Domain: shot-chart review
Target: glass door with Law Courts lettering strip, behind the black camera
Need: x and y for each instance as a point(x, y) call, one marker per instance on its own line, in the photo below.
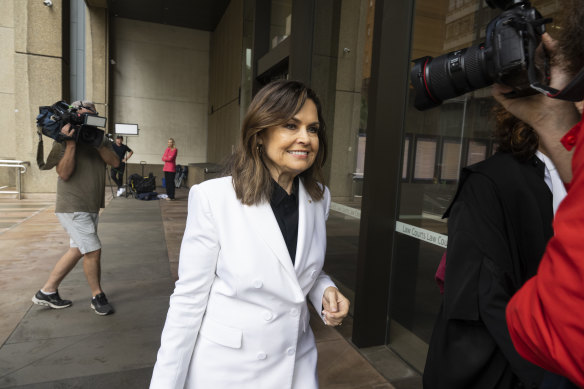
point(437, 144)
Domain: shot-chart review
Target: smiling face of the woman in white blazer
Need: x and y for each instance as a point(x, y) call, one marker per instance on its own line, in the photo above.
point(291, 148)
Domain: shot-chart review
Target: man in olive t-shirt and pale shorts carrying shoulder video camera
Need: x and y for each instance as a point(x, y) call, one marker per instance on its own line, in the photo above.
point(80, 195)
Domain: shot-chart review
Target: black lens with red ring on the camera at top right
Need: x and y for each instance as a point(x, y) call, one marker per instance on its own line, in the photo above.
point(450, 75)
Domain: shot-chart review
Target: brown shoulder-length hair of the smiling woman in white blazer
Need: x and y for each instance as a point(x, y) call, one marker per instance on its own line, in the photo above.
point(274, 105)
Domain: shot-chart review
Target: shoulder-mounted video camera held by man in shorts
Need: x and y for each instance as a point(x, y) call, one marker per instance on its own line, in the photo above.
point(51, 120)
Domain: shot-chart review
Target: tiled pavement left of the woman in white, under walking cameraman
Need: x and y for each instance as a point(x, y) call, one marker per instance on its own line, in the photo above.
point(74, 348)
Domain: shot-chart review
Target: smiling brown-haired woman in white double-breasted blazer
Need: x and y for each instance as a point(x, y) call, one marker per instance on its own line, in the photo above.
point(252, 252)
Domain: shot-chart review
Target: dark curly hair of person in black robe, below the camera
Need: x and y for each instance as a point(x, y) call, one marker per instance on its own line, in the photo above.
point(514, 136)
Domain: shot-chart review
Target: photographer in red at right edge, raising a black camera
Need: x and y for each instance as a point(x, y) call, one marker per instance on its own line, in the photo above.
point(545, 316)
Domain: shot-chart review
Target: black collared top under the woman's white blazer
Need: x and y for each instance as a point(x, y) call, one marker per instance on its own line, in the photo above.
point(285, 207)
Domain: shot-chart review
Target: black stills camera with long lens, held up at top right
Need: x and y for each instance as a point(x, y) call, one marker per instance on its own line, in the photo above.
point(507, 56)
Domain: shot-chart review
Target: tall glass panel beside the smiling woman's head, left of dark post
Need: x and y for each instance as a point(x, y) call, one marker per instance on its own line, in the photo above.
point(347, 139)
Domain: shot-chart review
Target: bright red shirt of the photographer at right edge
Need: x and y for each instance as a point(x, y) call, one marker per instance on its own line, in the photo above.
point(546, 316)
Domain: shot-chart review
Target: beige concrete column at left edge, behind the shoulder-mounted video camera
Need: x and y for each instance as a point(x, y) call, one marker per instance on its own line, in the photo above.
point(36, 60)
